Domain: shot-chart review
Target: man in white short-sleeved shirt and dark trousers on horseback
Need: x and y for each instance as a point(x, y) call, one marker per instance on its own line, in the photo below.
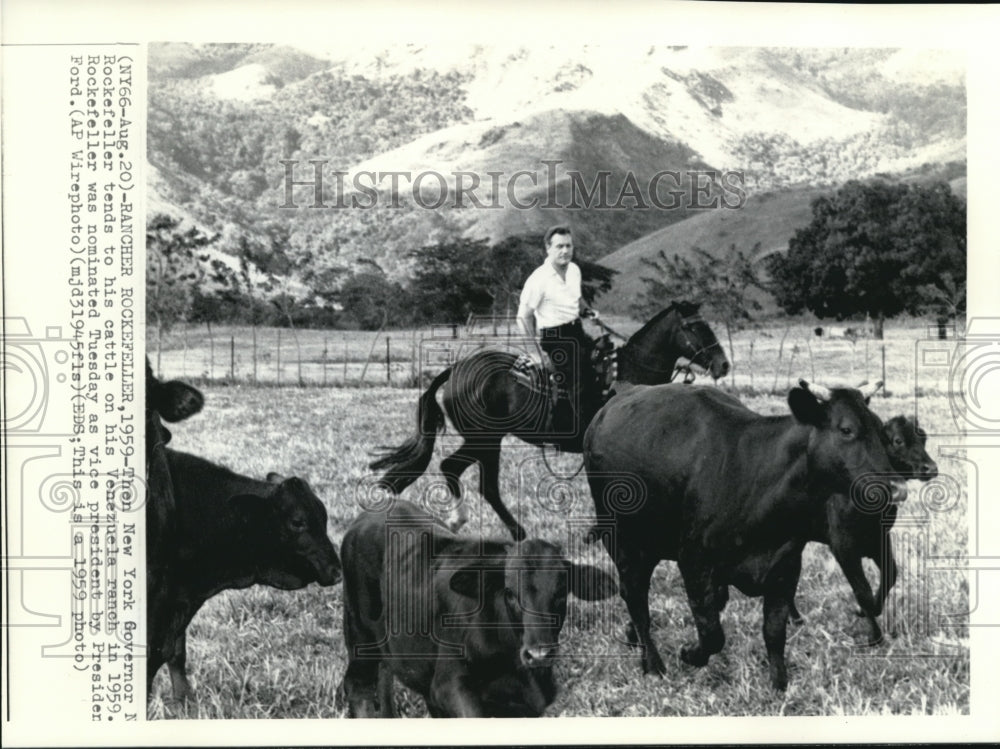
point(551, 306)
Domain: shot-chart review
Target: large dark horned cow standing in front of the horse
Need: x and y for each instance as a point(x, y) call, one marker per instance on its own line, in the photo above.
point(725, 492)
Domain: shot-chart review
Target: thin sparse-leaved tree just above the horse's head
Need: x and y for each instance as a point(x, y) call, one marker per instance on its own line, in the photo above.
point(725, 286)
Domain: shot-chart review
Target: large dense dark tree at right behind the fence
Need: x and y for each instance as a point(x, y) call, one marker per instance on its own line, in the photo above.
point(877, 249)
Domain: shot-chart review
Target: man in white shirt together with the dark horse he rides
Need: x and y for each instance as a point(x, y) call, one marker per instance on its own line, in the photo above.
point(485, 397)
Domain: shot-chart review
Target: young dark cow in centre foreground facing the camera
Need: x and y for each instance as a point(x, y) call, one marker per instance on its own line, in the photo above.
point(470, 624)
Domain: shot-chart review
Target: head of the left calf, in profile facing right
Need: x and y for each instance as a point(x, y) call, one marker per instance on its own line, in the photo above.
point(287, 529)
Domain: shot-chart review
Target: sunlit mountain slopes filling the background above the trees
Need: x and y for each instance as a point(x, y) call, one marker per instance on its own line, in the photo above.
point(222, 118)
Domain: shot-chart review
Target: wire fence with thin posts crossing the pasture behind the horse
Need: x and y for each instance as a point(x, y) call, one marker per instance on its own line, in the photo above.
point(911, 357)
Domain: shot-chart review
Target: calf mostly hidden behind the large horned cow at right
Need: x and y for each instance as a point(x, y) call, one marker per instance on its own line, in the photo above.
point(853, 530)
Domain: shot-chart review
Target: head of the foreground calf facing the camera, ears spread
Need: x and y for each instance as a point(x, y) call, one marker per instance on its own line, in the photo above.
point(528, 593)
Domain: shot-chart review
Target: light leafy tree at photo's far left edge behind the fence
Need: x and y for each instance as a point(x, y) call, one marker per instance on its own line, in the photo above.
point(174, 271)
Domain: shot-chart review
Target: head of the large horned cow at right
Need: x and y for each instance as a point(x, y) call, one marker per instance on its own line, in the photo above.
point(847, 444)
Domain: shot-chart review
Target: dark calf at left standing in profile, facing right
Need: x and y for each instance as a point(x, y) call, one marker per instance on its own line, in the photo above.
point(229, 531)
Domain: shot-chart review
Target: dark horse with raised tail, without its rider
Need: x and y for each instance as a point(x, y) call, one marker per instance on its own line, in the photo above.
point(485, 401)
